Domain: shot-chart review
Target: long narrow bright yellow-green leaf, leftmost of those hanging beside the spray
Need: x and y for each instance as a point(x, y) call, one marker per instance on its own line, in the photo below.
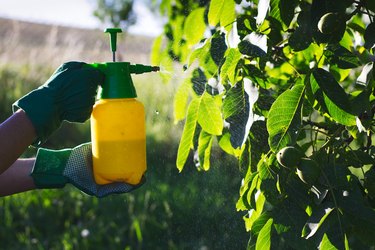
point(187, 136)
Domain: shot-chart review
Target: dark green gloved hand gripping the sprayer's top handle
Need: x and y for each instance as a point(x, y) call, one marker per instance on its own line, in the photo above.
point(68, 94)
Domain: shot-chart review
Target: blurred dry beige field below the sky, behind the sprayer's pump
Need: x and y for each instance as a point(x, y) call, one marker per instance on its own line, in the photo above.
point(30, 43)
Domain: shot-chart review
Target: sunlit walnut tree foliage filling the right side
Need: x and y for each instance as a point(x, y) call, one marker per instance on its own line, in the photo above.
point(267, 74)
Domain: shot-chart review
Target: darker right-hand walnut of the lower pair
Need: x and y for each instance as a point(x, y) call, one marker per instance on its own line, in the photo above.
point(308, 171)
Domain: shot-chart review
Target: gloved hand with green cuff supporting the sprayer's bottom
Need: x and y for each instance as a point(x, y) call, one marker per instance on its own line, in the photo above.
point(55, 168)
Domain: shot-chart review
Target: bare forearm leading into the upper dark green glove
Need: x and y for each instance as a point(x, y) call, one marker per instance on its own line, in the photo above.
point(16, 134)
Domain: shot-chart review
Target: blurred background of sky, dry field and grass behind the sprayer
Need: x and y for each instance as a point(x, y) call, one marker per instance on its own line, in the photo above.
point(188, 210)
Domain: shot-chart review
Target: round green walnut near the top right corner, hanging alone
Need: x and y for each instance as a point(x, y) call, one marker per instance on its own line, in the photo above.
point(332, 23)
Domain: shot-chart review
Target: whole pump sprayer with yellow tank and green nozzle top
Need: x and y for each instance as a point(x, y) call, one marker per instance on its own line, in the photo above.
point(118, 131)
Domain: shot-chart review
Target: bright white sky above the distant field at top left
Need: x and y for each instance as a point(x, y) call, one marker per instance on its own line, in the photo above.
point(76, 13)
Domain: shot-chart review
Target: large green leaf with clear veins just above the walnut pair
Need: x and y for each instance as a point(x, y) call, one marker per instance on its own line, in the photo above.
point(284, 118)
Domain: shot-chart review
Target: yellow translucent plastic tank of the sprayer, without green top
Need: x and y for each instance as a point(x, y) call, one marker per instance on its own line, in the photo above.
point(118, 137)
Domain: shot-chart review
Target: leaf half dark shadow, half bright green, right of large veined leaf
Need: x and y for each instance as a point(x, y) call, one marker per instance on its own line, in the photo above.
point(334, 97)
